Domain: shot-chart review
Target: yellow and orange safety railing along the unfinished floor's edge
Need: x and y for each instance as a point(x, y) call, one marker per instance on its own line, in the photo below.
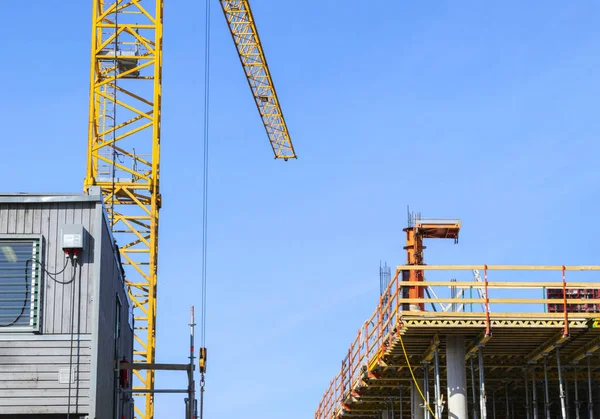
point(377, 332)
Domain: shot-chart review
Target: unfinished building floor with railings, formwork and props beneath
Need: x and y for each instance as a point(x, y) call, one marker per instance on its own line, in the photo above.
point(523, 357)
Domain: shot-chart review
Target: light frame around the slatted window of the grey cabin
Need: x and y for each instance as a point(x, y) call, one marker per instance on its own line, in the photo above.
point(36, 283)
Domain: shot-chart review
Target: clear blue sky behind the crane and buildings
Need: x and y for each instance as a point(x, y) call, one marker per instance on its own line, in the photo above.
point(487, 112)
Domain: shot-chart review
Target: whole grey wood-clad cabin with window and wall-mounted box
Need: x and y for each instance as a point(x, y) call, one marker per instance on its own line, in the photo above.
point(65, 317)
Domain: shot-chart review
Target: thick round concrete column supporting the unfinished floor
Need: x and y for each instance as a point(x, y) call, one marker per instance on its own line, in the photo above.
point(457, 377)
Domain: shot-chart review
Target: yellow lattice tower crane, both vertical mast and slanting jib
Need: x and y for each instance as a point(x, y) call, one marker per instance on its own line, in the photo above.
point(124, 136)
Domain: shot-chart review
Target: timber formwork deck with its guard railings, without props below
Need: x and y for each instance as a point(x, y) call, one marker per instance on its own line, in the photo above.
point(509, 340)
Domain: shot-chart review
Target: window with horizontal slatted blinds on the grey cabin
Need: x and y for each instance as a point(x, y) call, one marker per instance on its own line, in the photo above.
point(19, 284)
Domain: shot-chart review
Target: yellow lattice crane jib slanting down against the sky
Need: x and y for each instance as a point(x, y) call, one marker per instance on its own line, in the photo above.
point(245, 36)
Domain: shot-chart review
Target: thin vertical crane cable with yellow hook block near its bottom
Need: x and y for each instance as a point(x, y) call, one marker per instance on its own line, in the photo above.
point(203, 351)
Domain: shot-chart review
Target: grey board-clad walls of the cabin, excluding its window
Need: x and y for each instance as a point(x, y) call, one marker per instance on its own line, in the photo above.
point(29, 362)
